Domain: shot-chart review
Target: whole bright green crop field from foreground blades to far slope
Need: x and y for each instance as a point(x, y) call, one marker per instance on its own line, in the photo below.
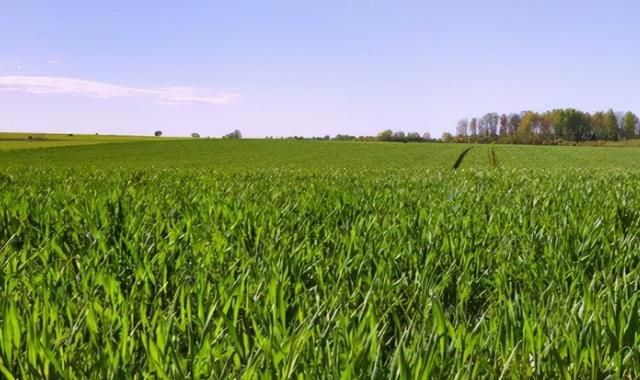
point(269, 259)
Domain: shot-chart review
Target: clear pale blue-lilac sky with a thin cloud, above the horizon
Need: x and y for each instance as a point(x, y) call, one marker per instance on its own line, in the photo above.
point(308, 67)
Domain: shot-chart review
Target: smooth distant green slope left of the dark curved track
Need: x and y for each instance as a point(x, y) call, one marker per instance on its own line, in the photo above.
point(242, 155)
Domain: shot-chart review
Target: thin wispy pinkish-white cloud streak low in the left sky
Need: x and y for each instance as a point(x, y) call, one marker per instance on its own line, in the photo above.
point(80, 87)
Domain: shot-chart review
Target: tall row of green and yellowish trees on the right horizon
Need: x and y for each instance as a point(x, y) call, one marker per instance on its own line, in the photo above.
point(534, 128)
